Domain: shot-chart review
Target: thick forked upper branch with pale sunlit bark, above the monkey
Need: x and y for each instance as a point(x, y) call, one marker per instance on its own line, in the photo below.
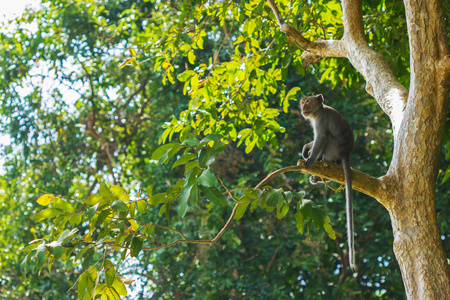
point(381, 82)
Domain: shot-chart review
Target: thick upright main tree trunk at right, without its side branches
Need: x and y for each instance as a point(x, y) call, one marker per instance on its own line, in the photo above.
point(414, 166)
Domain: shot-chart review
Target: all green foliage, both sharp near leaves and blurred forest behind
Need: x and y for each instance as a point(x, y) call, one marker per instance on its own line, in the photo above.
point(135, 127)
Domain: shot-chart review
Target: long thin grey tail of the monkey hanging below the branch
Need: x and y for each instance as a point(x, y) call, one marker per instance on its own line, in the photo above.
point(349, 199)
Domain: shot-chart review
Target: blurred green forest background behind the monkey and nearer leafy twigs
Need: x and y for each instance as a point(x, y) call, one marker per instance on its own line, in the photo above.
point(81, 108)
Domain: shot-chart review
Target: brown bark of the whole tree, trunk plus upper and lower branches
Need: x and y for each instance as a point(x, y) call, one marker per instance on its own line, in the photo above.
point(418, 116)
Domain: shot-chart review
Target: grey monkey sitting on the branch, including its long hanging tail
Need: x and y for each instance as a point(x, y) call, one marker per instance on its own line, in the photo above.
point(333, 142)
